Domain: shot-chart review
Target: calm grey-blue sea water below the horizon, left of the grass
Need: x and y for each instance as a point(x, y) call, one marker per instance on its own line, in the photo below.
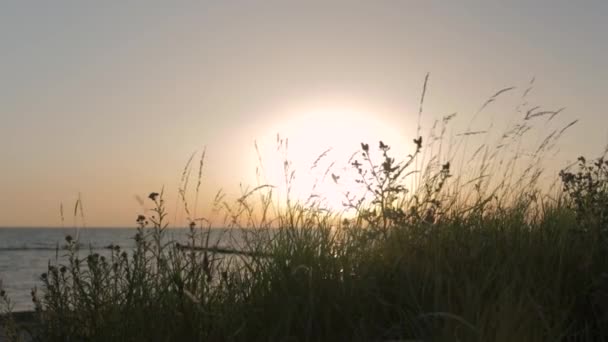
point(25, 253)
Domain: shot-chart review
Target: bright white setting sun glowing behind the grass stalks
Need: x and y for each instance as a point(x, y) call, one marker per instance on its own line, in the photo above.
point(318, 145)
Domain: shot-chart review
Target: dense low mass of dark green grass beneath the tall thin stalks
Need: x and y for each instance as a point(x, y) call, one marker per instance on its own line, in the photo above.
point(493, 277)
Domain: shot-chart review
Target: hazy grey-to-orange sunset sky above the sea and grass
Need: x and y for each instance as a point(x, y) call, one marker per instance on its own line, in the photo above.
point(109, 99)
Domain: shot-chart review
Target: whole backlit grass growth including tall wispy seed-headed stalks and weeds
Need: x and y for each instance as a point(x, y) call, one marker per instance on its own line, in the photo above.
point(482, 255)
